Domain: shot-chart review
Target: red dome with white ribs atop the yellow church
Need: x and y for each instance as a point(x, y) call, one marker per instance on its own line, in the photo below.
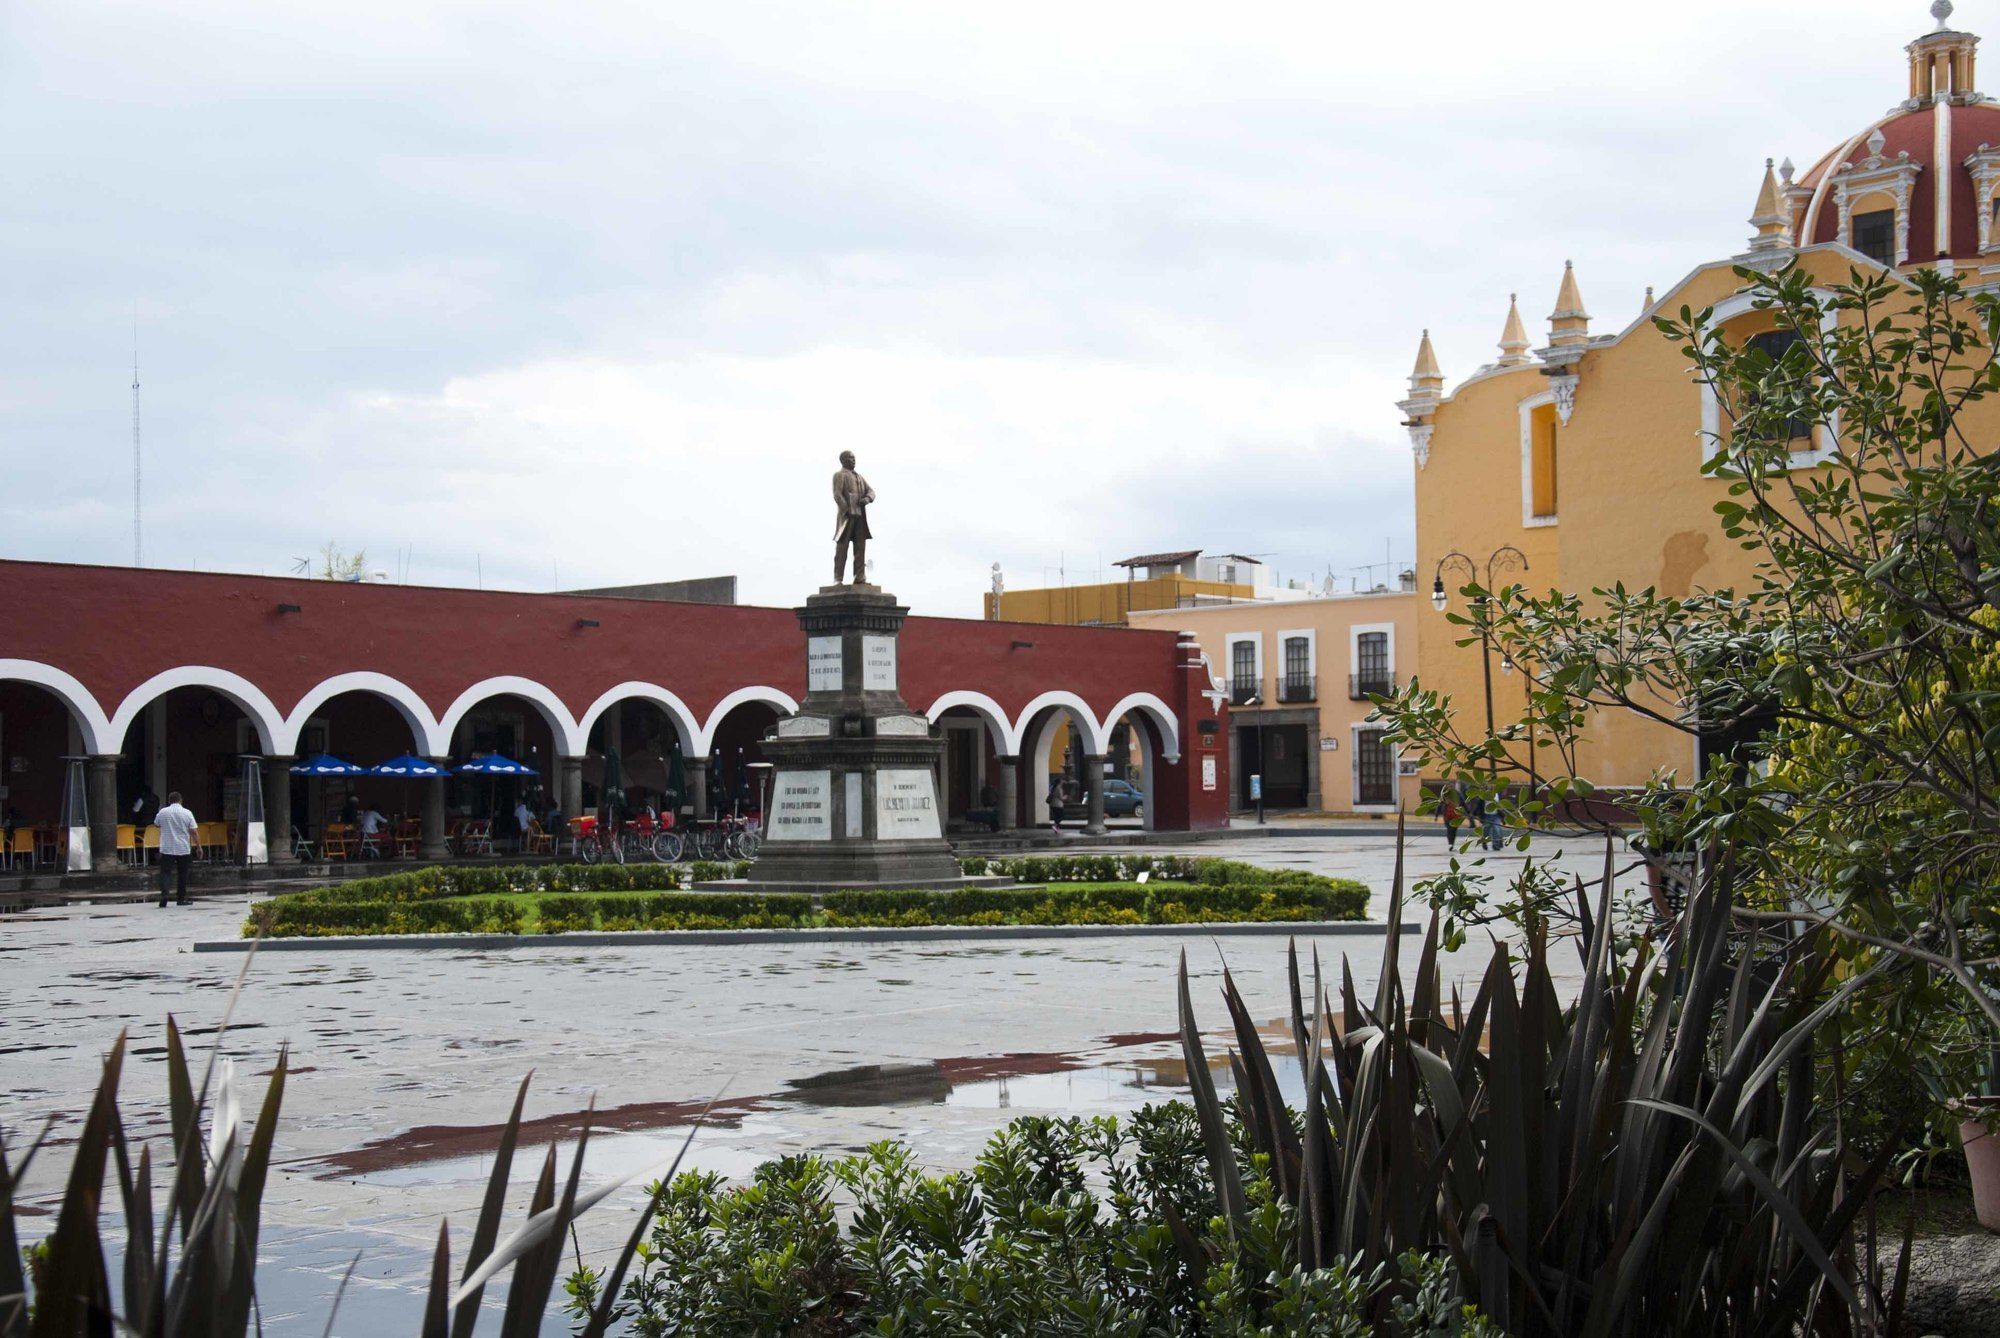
point(1917, 133)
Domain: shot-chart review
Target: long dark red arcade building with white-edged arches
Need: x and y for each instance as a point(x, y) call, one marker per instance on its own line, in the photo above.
point(167, 681)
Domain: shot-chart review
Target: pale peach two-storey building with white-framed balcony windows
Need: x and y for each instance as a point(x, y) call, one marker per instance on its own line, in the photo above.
point(1299, 677)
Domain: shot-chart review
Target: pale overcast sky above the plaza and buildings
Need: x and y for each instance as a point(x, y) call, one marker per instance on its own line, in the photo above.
point(595, 293)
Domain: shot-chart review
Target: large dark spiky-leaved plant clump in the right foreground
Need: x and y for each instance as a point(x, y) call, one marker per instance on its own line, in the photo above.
point(1643, 1161)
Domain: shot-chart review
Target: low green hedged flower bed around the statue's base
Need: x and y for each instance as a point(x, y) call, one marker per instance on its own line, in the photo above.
point(563, 899)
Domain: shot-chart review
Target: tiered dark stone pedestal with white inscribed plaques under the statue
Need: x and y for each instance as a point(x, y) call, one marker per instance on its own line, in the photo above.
point(855, 797)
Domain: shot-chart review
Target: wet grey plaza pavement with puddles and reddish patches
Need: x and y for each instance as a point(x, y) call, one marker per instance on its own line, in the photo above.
point(405, 1063)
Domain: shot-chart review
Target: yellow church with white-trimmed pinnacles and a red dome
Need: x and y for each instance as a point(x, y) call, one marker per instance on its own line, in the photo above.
point(1577, 465)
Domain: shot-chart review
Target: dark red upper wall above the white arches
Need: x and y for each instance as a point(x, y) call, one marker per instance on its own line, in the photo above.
point(119, 627)
